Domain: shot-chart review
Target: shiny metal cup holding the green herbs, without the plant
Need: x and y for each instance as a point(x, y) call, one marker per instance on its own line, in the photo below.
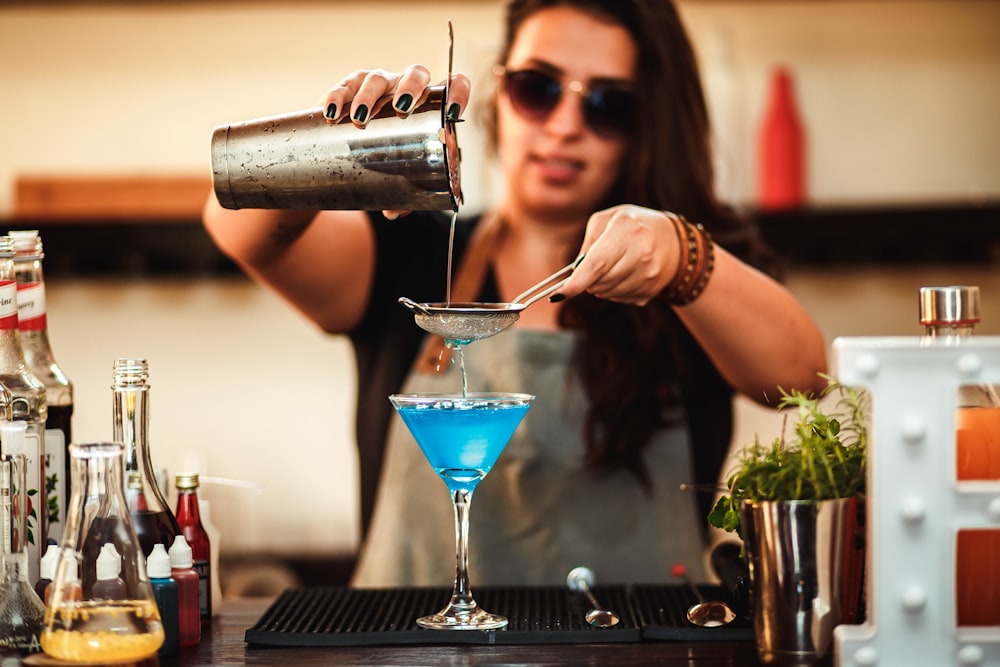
point(805, 560)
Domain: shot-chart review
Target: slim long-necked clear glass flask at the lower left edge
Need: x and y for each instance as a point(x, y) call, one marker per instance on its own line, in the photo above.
point(21, 610)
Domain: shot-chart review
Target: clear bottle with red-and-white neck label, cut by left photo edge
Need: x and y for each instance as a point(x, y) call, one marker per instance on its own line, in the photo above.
point(27, 404)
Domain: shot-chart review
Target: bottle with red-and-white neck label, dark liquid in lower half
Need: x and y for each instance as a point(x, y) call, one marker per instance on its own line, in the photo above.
point(33, 324)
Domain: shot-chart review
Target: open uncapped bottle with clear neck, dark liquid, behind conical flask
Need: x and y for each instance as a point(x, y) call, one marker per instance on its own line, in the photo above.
point(154, 522)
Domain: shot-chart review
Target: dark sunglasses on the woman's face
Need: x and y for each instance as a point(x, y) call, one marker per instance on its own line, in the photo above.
point(607, 110)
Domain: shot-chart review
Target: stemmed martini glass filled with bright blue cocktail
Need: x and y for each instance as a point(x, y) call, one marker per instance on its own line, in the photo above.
point(462, 436)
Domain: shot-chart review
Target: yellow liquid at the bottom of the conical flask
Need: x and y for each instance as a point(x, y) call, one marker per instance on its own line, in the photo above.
point(103, 630)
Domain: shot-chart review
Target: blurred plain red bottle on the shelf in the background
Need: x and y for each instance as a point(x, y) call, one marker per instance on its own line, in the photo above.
point(782, 159)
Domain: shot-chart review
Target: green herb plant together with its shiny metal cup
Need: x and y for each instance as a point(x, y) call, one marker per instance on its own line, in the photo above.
point(798, 505)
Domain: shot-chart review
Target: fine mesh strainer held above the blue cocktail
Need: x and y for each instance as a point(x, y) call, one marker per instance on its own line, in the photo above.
point(463, 323)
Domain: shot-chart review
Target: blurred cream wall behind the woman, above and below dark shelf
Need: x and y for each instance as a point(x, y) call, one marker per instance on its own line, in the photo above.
point(900, 101)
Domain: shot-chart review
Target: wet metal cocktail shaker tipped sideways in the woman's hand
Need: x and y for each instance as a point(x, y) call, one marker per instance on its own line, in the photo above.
point(301, 161)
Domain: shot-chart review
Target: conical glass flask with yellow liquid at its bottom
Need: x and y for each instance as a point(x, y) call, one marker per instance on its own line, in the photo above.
point(79, 624)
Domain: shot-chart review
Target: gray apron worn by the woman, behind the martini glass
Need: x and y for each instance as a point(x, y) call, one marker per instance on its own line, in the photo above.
point(539, 513)
